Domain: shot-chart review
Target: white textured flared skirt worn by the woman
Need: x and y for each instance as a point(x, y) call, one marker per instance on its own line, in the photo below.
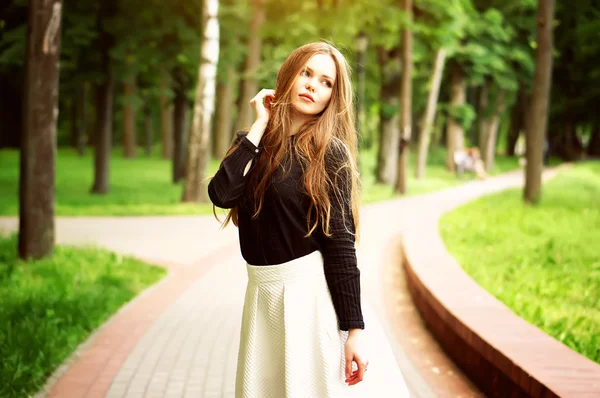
point(290, 343)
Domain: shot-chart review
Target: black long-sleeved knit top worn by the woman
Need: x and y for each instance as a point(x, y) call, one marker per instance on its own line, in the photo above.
point(277, 235)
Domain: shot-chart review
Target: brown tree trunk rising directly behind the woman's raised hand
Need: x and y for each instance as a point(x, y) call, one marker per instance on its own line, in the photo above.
point(249, 87)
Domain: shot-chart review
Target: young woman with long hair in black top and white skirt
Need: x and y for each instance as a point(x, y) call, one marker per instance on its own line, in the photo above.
point(291, 183)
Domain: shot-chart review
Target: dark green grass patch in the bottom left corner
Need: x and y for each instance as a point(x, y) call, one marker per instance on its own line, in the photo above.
point(51, 306)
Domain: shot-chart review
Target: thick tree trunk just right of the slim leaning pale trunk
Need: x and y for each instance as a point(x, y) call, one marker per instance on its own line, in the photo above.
point(454, 130)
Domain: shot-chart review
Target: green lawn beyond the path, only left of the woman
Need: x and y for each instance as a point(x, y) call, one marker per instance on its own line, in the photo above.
point(140, 186)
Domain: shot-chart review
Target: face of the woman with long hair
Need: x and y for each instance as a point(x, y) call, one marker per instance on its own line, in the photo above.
point(312, 89)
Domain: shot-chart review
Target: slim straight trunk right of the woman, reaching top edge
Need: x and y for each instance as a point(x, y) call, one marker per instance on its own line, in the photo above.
point(405, 100)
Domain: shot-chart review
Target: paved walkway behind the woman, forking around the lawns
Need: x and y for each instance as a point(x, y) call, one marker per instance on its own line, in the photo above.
point(180, 337)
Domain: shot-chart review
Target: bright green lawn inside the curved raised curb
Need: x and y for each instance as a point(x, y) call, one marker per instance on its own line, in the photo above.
point(542, 261)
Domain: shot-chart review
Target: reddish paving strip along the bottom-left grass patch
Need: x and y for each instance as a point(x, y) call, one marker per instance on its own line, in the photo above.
point(92, 371)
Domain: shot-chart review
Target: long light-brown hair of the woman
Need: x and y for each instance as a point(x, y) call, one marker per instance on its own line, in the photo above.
point(326, 145)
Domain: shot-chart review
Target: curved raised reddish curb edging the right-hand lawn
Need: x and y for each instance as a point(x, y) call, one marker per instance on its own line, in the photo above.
point(502, 353)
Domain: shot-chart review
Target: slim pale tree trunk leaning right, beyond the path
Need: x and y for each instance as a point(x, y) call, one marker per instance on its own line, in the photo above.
point(429, 117)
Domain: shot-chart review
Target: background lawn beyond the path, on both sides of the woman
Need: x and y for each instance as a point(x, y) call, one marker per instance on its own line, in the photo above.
point(143, 186)
